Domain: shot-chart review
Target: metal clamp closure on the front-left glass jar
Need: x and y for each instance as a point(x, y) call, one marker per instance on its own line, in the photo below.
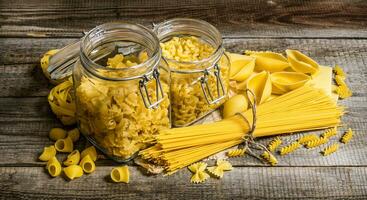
point(145, 93)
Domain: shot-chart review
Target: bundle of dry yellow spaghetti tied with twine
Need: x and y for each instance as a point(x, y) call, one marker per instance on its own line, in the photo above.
point(302, 109)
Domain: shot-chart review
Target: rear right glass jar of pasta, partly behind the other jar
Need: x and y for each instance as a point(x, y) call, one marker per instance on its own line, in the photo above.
point(200, 86)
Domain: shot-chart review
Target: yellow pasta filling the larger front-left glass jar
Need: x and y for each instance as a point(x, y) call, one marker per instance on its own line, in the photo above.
point(114, 114)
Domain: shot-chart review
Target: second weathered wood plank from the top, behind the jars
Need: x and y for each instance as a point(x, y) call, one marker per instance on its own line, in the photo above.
point(20, 74)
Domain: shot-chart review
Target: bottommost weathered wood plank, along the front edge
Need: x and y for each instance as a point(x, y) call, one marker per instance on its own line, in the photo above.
point(240, 183)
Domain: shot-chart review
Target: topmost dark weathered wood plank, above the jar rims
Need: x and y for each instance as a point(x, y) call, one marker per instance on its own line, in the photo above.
point(277, 18)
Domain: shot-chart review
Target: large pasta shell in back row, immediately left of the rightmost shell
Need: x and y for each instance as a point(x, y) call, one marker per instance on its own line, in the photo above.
point(269, 61)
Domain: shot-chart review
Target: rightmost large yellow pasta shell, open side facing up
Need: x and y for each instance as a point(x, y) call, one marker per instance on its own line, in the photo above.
point(301, 63)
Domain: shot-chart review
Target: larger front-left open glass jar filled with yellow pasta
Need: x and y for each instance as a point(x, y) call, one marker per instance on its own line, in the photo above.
point(120, 107)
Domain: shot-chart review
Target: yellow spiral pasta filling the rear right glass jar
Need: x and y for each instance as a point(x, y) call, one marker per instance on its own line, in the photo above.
point(188, 99)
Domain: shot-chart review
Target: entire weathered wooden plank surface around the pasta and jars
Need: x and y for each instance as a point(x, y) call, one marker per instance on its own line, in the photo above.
point(331, 32)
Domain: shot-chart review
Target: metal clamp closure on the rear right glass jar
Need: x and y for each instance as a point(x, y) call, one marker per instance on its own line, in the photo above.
point(206, 88)
